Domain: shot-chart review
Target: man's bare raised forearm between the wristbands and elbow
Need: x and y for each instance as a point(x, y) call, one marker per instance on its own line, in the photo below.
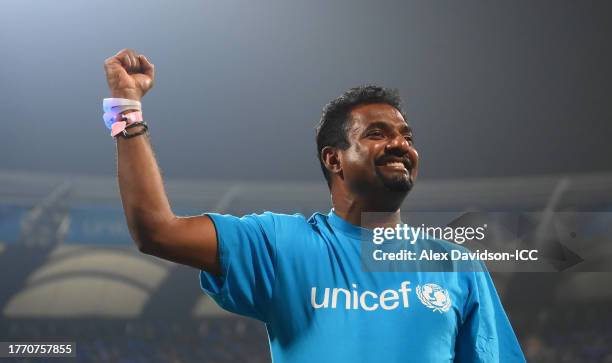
point(144, 199)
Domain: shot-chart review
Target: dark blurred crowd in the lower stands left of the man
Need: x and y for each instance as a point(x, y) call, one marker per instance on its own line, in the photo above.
point(214, 341)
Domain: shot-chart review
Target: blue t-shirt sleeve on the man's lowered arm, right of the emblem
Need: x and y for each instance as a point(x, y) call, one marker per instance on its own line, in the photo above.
point(486, 334)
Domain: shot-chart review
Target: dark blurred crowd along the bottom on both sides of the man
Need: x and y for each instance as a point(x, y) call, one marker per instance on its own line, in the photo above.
point(582, 333)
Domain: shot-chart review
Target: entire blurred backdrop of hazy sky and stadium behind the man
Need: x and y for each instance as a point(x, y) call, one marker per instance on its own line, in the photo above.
point(509, 102)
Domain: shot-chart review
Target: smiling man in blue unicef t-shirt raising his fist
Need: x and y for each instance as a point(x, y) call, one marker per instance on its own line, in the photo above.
point(303, 278)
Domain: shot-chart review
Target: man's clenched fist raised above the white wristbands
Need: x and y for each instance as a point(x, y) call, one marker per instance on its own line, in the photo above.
point(129, 75)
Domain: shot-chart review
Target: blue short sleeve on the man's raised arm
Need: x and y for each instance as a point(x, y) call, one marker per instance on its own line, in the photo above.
point(247, 253)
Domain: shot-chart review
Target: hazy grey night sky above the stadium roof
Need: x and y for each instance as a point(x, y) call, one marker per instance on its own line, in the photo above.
point(491, 88)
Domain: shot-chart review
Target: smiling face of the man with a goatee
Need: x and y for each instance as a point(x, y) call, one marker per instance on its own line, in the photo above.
point(381, 155)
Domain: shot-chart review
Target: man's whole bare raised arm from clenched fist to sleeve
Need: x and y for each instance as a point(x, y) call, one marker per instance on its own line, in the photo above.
point(152, 224)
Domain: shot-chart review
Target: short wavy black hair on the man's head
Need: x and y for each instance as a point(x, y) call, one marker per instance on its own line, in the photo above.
point(333, 126)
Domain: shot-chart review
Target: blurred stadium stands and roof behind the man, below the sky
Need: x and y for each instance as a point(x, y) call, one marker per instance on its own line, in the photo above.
point(71, 271)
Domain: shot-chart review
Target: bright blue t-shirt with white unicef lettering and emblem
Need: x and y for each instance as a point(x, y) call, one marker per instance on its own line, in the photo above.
point(304, 280)
